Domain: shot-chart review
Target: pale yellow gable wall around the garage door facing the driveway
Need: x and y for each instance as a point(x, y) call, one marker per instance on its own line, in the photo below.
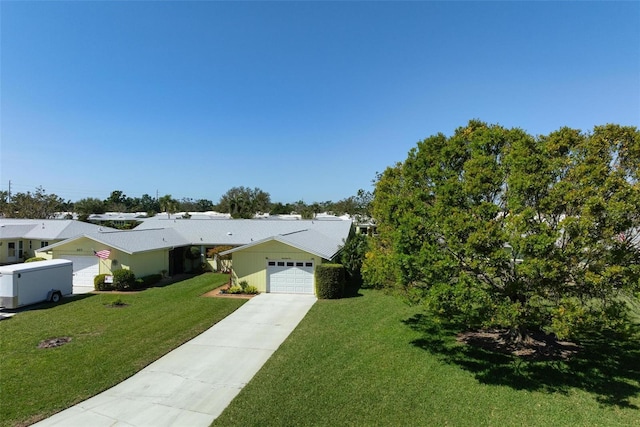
point(251, 264)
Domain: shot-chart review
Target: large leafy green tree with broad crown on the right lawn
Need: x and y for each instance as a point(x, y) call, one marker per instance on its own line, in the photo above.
point(504, 229)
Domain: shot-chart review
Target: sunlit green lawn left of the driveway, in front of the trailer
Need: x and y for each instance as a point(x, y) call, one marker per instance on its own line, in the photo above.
point(108, 344)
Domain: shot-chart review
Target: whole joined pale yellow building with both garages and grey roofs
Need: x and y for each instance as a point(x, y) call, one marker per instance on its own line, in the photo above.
point(273, 255)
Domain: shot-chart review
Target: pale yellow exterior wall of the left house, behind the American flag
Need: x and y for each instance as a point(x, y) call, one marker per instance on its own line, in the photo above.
point(142, 264)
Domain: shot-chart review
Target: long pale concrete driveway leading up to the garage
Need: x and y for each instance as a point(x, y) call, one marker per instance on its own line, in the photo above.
point(192, 385)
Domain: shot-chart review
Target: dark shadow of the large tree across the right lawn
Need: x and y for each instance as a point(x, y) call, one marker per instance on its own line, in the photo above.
point(605, 365)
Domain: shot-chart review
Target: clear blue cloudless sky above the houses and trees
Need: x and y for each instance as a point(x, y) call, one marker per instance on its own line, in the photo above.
point(305, 100)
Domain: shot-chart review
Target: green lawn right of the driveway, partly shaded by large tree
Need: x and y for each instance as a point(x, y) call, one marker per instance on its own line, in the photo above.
point(372, 360)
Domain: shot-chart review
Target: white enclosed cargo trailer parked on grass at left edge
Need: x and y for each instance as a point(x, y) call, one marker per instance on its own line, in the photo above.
point(32, 282)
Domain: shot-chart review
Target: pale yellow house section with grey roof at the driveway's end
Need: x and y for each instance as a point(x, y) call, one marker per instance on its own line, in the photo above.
point(272, 255)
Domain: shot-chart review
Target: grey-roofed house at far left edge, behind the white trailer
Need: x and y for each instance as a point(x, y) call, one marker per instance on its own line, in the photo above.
point(20, 238)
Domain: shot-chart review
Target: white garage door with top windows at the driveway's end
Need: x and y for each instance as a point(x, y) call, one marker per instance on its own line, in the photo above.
point(291, 277)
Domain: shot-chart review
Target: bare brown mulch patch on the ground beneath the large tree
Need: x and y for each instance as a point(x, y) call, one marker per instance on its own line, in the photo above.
point(536, 346)
